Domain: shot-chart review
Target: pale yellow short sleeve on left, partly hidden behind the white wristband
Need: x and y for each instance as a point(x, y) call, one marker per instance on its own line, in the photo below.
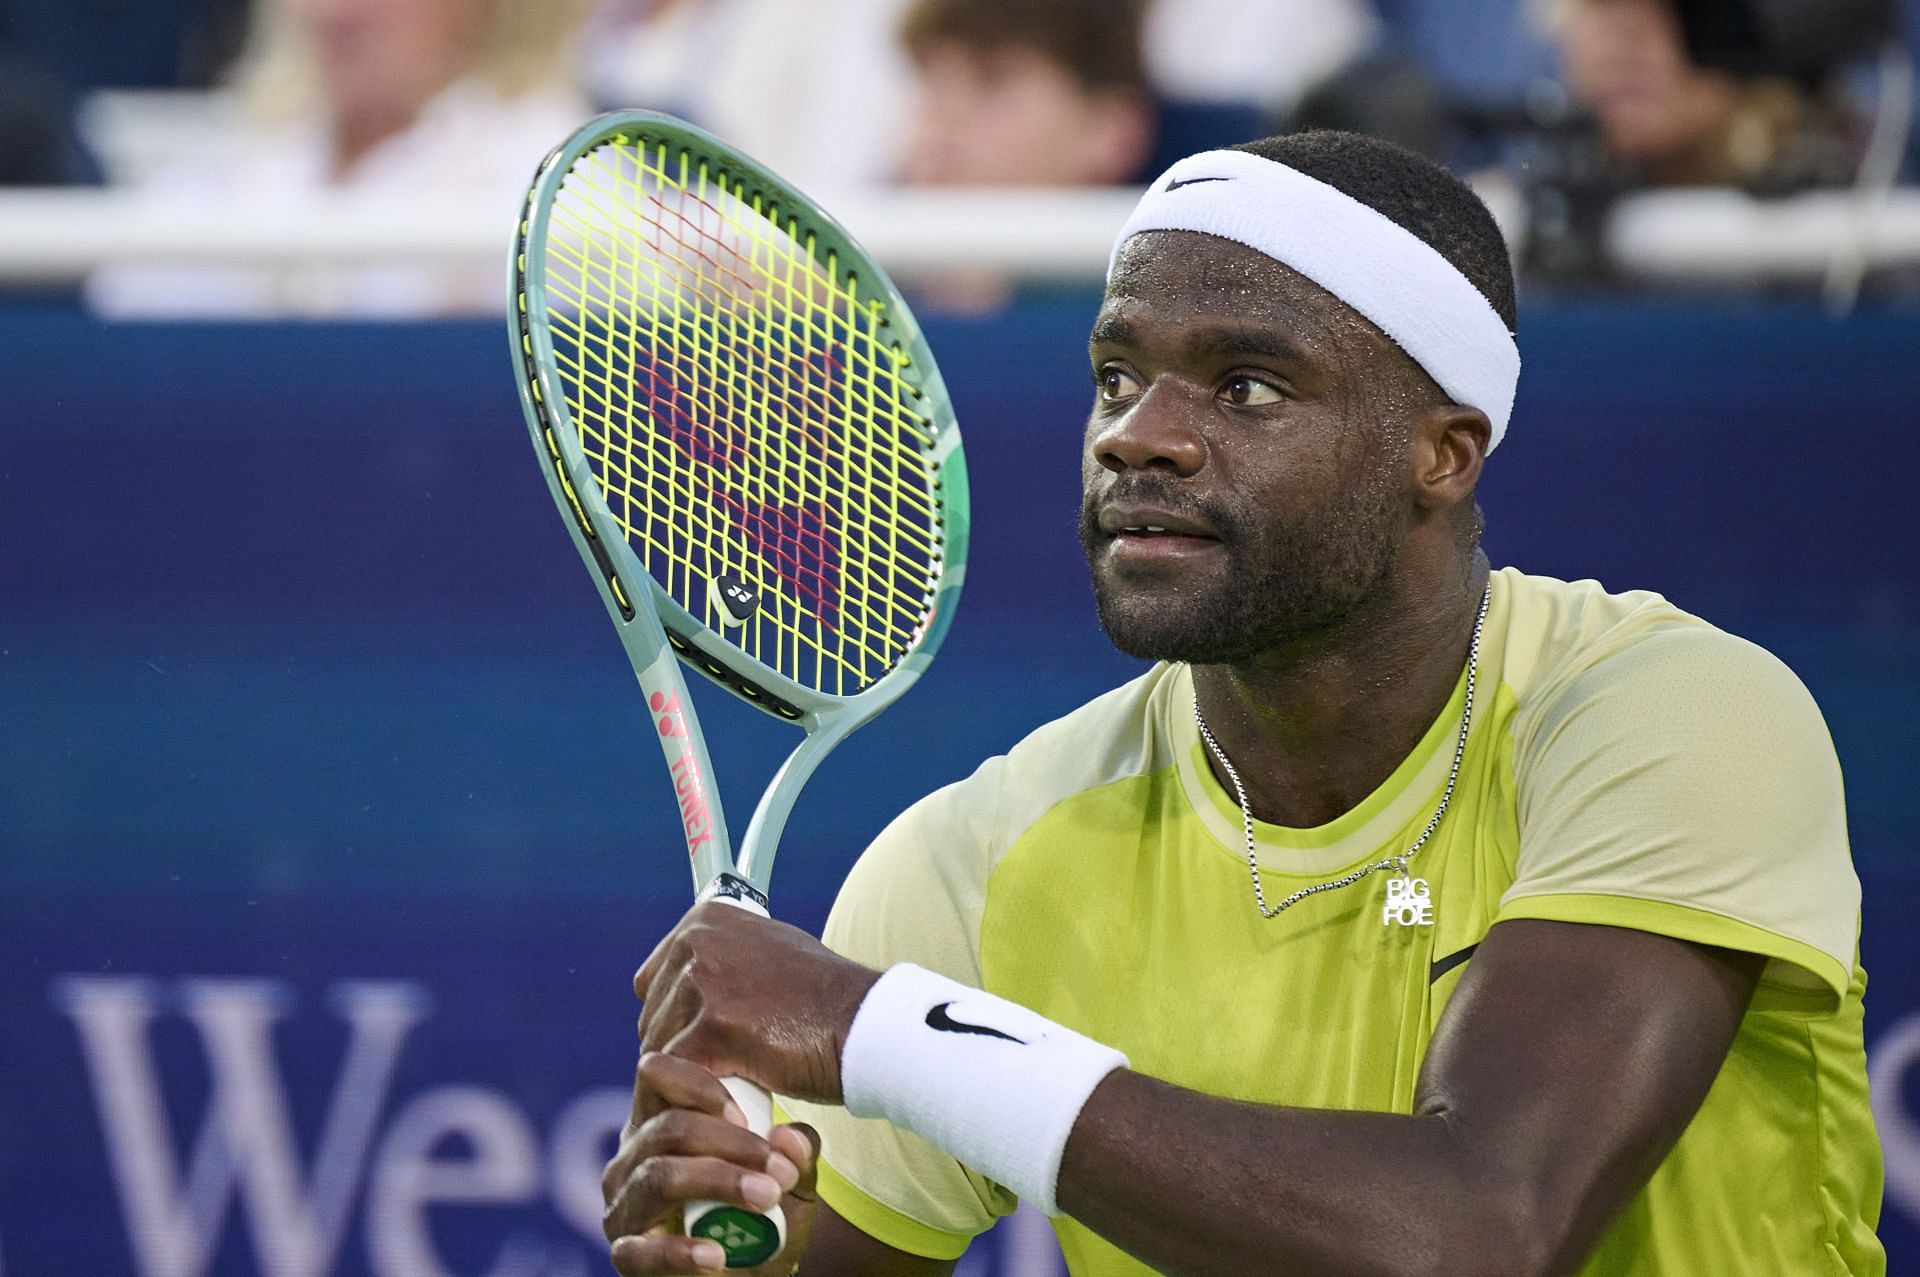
point(915, 896)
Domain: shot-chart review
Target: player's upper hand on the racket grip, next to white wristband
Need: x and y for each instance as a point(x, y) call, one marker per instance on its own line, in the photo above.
point(748, 998)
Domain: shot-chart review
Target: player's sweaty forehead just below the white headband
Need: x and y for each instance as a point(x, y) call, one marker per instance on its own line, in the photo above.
point(1182, 277)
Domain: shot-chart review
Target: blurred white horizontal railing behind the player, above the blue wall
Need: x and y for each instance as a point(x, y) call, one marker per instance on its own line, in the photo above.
point(60, 237)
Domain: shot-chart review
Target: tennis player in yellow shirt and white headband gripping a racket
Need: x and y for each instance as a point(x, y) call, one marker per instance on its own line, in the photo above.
point(1408, 919)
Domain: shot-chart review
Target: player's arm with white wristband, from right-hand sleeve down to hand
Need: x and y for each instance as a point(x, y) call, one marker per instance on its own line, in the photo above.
point(1568, 1063)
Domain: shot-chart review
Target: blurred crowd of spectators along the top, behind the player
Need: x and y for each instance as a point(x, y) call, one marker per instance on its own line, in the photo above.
point(1560, 110)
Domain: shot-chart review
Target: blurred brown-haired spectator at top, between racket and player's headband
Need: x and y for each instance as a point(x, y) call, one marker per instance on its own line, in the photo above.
point(1026, 95)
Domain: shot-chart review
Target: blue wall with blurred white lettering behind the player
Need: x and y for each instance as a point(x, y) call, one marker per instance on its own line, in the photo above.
point(318, 752)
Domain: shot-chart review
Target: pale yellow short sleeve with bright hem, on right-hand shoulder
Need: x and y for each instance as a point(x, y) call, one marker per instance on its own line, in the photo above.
point(1687, 786)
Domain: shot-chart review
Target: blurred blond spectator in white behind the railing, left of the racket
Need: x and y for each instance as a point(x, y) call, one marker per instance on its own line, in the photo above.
point(435, 99)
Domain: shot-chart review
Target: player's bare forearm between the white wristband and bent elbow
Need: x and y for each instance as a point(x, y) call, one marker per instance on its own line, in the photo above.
point(1199, 1188)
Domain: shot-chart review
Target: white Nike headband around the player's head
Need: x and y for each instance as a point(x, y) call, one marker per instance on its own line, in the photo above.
point(1358, 254)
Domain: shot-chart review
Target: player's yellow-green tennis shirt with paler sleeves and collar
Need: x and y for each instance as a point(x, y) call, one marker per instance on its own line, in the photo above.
point(1629, 765)
